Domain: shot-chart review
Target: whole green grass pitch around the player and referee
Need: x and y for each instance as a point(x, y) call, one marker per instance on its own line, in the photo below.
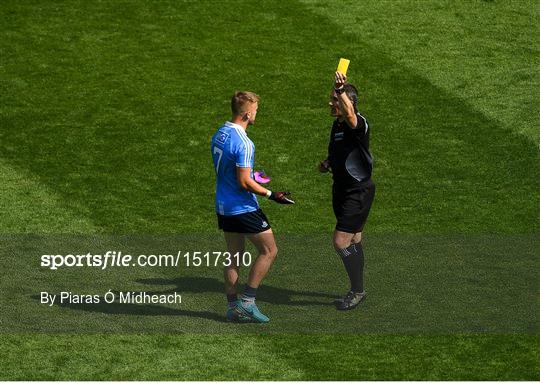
point(106, 112)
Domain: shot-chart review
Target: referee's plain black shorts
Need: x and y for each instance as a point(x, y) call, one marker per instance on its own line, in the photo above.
point(352, 204)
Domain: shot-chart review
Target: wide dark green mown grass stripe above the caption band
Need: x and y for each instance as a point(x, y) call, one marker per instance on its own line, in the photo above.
point(123, 139)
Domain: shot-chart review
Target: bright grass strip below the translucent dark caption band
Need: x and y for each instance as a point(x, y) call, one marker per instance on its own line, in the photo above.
point(277, 357)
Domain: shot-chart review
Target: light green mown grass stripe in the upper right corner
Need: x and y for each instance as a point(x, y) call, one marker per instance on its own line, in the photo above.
point(483, 52)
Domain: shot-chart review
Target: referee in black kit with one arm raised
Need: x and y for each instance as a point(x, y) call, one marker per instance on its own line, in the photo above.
point(353, 191)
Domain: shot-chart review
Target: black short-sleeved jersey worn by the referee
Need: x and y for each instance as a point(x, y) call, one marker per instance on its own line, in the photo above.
point(348, 153)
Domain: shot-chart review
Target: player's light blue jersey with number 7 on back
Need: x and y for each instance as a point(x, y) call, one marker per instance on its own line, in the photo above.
point(231, 148)
